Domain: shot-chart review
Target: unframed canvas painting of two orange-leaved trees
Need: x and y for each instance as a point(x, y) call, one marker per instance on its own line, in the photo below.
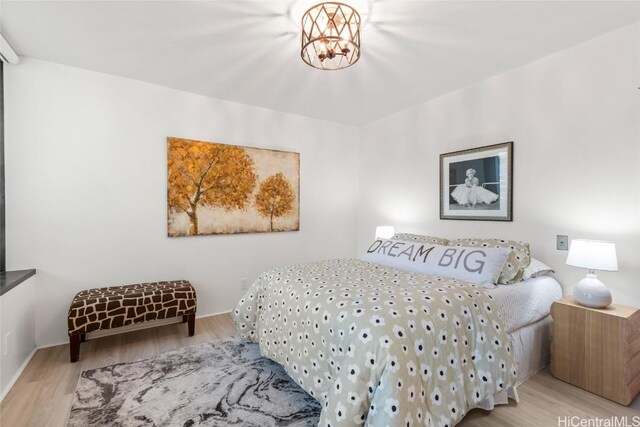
point(217, 188)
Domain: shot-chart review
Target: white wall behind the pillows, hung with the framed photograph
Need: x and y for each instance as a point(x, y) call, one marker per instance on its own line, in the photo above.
point(574, 118)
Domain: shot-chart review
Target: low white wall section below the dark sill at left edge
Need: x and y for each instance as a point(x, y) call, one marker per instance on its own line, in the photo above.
point(17, 317)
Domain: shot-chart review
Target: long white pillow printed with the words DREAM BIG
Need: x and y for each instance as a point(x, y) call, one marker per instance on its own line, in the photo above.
point(472, 264)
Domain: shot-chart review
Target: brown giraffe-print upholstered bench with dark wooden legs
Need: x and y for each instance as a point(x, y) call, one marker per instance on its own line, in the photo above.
point(113, 307)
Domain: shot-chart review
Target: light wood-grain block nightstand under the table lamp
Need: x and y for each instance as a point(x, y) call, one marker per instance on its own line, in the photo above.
point(597, 349)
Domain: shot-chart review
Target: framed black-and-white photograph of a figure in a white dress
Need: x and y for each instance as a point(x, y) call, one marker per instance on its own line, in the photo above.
point(476, 184)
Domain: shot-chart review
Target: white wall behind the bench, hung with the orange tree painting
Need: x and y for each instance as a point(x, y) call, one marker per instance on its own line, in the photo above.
point(86, 188)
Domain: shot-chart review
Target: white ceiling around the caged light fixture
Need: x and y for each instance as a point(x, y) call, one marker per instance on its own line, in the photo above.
point(248, 51)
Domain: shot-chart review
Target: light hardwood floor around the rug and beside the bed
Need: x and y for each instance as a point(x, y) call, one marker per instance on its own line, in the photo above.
point(42, 396)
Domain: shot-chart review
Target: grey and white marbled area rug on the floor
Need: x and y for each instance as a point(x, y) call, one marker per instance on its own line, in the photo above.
point(224, 383)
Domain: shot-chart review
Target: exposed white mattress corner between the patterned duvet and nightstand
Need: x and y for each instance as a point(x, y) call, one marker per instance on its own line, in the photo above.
point(526, 302)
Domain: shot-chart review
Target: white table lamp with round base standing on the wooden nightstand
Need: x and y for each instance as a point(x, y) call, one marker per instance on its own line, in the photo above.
point(592, 255)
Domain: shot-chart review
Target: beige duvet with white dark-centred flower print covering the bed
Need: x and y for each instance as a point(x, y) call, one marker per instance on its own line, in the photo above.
point(379, 346)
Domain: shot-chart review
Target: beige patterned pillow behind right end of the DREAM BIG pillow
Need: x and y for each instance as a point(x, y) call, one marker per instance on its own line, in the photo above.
point(518, 259)
